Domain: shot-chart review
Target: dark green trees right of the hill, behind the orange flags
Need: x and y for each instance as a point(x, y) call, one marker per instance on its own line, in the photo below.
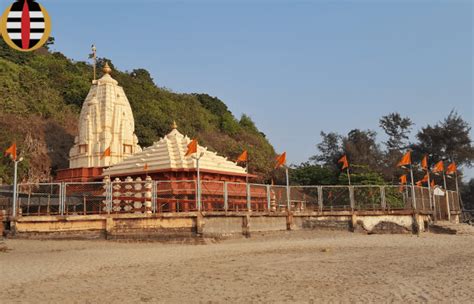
point(370, 164)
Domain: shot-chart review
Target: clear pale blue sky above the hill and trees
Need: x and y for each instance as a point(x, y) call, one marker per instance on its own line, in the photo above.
point(295, 67)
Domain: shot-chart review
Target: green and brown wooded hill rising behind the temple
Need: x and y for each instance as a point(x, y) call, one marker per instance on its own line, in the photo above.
point(41, 94)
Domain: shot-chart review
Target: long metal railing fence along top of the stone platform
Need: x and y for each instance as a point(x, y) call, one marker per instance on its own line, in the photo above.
point(147, 196)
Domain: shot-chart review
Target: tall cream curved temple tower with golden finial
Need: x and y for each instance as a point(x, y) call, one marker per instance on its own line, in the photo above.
point(106, 121)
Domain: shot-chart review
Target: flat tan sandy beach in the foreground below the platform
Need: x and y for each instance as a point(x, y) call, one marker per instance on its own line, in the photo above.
point(288, 267)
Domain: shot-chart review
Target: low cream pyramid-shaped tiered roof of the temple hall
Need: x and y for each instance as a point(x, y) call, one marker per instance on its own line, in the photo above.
point(168, 154)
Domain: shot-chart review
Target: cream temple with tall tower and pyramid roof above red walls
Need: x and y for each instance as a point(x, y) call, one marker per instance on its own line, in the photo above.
point(106, 122)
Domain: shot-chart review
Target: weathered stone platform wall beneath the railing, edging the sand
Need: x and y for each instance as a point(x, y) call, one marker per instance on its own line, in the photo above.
point(184, 227)
